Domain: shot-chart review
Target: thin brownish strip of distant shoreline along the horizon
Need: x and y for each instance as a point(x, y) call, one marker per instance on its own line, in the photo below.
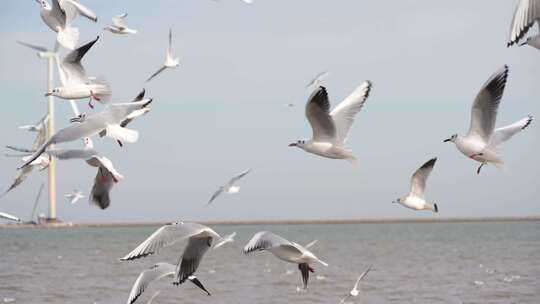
point(292, 222)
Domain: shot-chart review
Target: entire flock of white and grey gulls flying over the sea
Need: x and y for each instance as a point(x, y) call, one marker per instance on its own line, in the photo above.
point(330, 131)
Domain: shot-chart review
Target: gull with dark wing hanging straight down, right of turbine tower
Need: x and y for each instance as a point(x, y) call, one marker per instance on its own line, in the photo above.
point(106, 176)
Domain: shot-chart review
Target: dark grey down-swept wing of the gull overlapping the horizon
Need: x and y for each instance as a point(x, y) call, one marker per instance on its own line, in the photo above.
point(191, 258)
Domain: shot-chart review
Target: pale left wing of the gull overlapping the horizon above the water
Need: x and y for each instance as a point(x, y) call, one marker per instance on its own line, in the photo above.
point(165, 236)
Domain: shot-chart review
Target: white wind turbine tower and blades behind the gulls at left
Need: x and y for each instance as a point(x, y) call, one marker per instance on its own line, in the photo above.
point(52, 59)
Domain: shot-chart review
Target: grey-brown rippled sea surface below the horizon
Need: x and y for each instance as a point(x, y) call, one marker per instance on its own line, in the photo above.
point(484, 262)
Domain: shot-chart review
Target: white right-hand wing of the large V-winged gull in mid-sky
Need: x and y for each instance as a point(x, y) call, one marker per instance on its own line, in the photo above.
point(343, 115)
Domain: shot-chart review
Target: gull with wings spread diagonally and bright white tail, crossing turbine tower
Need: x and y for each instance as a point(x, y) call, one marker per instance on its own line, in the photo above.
point(108, 119)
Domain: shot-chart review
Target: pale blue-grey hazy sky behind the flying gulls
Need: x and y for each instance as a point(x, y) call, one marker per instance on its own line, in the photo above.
point(223, 110)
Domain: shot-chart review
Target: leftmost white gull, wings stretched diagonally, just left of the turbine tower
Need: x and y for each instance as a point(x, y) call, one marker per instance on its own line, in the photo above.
point(40, 162)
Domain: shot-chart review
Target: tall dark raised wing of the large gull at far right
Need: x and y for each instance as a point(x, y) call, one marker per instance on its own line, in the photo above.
point(486, 105)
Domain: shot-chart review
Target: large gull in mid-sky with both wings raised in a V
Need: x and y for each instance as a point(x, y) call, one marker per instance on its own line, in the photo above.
point(330, 129)
